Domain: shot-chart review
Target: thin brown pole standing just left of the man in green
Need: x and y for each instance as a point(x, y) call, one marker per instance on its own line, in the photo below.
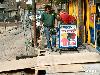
point(34, 22)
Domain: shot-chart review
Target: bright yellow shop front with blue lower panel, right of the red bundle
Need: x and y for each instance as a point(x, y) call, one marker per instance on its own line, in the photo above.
point(84, 11)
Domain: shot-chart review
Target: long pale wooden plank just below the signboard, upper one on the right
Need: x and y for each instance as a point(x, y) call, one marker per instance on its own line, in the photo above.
point(68, 58)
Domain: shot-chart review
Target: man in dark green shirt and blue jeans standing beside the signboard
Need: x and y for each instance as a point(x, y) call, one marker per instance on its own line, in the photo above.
point(48, 19)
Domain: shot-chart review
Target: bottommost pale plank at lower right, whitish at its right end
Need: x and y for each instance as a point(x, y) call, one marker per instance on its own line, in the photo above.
point(71, 68)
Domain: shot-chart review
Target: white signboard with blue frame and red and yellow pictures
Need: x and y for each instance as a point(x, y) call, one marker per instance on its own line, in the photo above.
point(68, 36)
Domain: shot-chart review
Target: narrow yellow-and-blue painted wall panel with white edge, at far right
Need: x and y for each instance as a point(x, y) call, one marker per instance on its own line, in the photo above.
point(92, 13)
